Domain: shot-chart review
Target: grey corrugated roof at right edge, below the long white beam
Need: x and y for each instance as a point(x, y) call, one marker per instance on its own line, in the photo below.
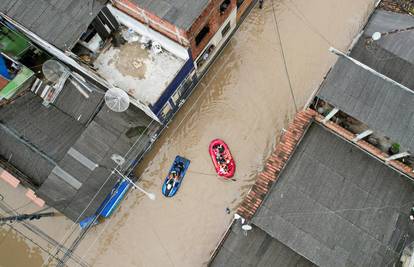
point(383, 106)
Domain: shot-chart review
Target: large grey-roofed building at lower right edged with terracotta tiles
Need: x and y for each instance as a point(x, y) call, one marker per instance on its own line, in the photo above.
point(322, 200)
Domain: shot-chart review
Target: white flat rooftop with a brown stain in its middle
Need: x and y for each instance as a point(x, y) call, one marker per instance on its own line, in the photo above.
point(138, 70)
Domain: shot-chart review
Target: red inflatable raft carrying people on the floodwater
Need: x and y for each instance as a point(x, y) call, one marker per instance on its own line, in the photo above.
point(222, 158)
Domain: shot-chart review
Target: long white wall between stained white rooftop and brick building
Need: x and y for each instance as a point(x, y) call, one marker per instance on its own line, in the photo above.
point(165, 42)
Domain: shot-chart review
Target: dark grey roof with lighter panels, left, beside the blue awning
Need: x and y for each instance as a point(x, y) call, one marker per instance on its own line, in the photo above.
point(65, 181)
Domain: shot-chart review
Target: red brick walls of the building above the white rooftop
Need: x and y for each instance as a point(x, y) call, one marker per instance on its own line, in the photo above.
point(211, 16)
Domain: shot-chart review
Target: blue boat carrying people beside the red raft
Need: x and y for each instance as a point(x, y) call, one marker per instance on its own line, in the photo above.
point(175, 176)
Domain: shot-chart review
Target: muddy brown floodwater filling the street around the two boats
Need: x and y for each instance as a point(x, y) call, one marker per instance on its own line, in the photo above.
point(244, 99)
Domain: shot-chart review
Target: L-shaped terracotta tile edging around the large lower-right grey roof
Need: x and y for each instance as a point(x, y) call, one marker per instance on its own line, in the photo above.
point(285, 149)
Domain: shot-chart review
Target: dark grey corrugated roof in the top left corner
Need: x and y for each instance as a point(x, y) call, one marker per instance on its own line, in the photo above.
point(59, 22)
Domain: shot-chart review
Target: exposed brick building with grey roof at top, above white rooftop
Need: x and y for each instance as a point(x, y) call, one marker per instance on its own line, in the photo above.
point(196, 24)
